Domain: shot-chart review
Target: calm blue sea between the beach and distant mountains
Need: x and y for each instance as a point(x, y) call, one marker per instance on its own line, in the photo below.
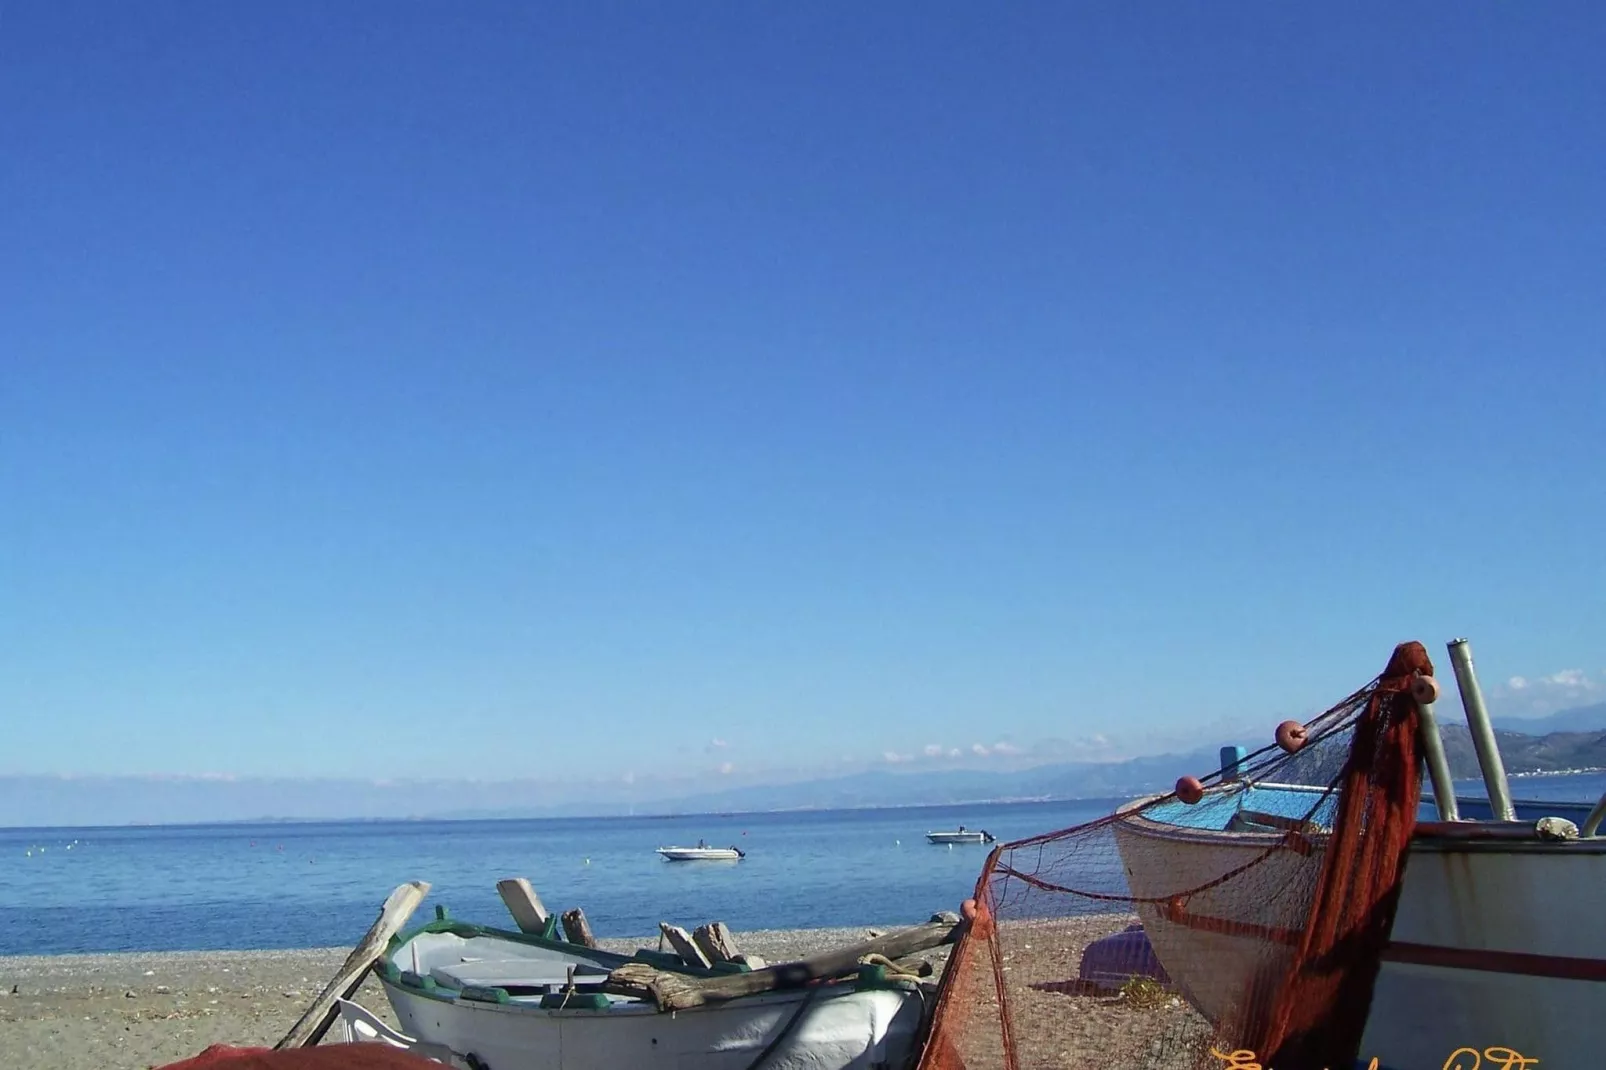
point(203, 888)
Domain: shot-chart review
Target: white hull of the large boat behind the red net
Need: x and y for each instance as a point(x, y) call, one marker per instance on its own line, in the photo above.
point(1478, 929)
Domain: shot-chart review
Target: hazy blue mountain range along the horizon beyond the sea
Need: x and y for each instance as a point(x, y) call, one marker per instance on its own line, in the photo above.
point(1573, 740)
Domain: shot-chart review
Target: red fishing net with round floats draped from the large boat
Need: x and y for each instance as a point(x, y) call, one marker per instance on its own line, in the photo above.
point(1236, 921)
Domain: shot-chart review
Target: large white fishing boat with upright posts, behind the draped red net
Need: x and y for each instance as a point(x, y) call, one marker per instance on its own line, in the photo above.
point(1494, 941)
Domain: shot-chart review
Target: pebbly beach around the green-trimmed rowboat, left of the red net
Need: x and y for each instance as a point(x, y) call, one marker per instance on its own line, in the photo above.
point(134, 1011)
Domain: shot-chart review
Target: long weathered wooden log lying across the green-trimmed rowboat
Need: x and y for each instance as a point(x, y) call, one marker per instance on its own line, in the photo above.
point(679, 992)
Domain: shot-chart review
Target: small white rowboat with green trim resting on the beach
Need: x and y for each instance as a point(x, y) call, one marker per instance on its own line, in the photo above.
point(524, 1002)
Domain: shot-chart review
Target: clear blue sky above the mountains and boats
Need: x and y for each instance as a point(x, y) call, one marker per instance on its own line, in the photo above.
point(595, 390)
